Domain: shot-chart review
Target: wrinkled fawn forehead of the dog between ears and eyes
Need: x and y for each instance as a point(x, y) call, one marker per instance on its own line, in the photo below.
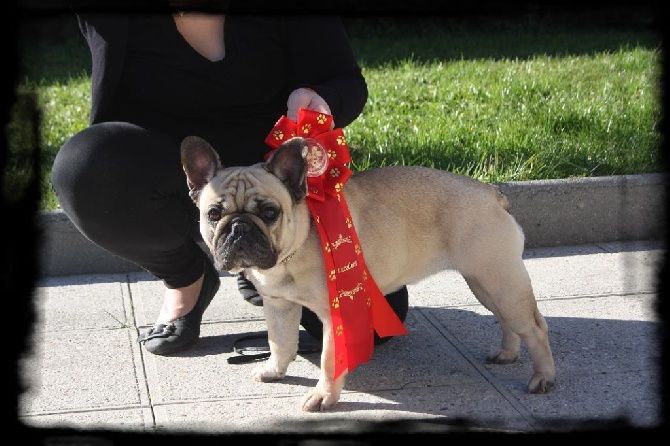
point(240, 189)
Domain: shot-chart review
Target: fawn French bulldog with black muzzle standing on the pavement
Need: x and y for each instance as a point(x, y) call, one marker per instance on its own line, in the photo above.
point(412, 222)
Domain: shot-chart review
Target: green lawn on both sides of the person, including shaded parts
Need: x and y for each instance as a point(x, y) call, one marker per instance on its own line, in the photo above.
point(499, 100)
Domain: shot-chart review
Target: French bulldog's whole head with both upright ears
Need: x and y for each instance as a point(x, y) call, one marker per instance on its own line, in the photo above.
point(250, 217)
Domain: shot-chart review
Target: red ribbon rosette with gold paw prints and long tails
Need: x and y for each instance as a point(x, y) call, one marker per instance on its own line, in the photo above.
point(358, 308)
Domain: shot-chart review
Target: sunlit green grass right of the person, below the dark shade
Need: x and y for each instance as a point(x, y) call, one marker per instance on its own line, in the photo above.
point(502, 120)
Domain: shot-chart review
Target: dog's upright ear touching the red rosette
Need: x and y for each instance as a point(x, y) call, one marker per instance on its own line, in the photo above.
point(288, 163)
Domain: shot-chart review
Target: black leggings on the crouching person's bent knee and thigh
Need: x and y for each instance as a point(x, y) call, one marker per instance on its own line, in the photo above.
point(124, 188)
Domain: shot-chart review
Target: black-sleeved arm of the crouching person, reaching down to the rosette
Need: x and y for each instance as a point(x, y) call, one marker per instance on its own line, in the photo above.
point(323, 60)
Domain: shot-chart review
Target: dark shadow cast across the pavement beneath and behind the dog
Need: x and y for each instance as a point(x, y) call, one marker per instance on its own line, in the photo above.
point(440, 367)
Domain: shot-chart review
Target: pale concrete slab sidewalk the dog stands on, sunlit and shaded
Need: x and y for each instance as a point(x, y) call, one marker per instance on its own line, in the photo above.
point(89, 372)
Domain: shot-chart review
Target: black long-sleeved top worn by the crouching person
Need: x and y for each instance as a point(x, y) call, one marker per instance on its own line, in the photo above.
point(144, 72)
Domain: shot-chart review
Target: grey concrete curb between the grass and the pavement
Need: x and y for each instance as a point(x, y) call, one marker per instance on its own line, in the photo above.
point(551, 212)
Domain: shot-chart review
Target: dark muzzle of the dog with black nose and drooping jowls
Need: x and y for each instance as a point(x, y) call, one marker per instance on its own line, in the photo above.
point(242, 245)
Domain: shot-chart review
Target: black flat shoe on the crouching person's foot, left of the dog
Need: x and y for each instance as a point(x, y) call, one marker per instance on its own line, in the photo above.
point(180, 334)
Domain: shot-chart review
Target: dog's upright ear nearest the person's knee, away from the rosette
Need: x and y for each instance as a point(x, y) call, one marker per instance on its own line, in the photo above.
point(200, 162)
